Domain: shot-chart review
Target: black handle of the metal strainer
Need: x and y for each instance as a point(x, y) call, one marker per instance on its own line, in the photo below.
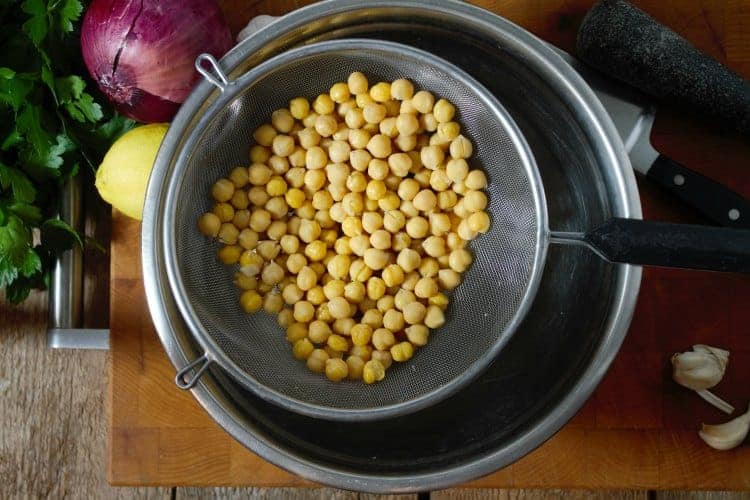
point(687, 246)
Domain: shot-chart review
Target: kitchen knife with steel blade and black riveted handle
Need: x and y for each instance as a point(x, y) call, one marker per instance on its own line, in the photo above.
point(633, 115)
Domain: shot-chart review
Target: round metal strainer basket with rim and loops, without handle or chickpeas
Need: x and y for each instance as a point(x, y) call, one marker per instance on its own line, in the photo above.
point(484, 310)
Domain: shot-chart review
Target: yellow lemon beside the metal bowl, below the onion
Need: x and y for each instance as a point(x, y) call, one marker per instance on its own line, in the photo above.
point(123, 175)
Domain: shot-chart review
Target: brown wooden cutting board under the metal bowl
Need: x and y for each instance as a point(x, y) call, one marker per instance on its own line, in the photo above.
point(639, 428)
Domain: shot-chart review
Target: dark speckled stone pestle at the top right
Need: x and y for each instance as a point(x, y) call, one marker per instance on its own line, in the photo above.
point(626, 43)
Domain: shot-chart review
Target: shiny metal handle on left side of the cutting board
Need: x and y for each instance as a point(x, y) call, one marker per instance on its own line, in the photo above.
point(66, 285)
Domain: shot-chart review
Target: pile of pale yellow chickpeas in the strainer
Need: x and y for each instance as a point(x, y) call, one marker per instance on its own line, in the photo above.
point(351, 223)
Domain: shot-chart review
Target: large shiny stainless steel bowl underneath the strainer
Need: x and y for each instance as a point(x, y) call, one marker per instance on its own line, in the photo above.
point(574, 329)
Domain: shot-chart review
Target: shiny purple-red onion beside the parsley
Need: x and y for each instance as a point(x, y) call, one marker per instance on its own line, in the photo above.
point(141, 52)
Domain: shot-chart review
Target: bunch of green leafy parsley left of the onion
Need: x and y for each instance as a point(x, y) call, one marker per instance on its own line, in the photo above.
point(52, 122)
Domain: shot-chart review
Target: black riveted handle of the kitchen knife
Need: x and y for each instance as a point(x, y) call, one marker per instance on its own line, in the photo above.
point(716, 201)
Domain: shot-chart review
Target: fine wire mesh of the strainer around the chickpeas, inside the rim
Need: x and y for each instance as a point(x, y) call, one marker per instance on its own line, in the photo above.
point(480, 309)
